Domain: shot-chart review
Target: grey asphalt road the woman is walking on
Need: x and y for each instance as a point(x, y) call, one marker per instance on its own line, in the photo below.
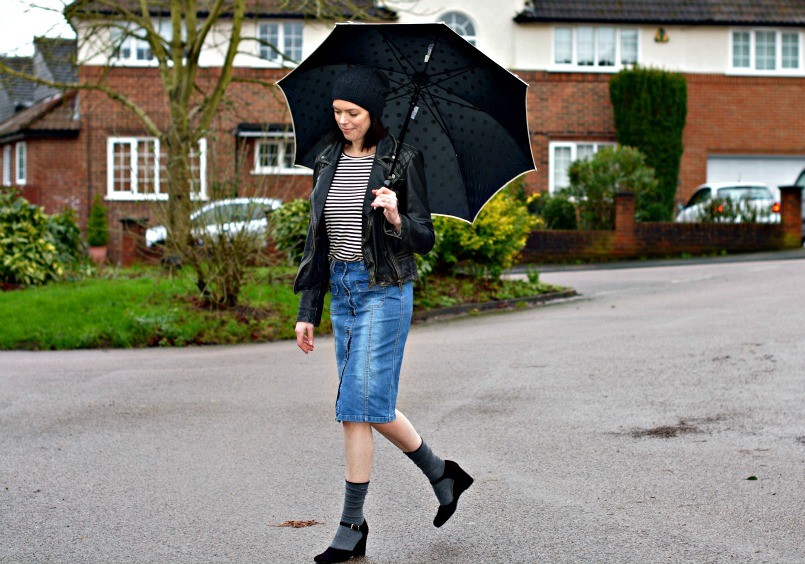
point(617, 427)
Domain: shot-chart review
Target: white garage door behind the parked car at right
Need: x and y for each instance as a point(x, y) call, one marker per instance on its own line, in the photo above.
point(778, 171)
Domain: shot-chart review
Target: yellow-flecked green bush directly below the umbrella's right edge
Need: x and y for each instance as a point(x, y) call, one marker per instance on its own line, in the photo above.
point(487, 247)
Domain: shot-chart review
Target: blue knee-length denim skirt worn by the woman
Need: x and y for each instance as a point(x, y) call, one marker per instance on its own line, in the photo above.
point(370, 326)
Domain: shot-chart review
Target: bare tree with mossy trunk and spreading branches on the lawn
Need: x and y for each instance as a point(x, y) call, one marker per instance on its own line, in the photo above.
point(177, 32)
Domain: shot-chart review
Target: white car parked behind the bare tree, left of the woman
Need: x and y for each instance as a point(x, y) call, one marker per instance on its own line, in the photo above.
point(223, 216)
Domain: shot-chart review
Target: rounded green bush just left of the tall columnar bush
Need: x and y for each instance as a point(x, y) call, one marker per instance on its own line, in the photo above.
point(594, 183)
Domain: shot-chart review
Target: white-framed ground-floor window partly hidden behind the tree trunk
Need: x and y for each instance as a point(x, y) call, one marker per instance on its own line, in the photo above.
point(136, 169)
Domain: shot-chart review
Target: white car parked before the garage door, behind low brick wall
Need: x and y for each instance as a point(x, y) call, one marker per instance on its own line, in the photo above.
point(753, 198)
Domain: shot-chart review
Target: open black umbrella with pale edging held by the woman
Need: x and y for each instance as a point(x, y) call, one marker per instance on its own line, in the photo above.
point(466, 113)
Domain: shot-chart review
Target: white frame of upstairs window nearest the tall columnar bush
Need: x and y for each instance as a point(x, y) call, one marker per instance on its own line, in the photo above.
point(596, 54)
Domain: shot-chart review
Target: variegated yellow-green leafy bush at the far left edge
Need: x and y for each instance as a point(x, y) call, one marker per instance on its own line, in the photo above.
point(28, 249)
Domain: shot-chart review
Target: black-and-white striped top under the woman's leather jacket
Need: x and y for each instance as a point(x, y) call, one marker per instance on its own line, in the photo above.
point(344, 207)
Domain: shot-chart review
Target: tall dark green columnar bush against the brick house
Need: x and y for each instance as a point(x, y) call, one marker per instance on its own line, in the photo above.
point(650, 108)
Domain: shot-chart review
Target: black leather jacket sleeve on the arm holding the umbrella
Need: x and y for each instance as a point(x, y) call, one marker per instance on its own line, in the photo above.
point(416, 231)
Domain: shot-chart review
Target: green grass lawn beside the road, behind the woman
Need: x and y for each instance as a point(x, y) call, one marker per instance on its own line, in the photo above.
point(143, 307)
